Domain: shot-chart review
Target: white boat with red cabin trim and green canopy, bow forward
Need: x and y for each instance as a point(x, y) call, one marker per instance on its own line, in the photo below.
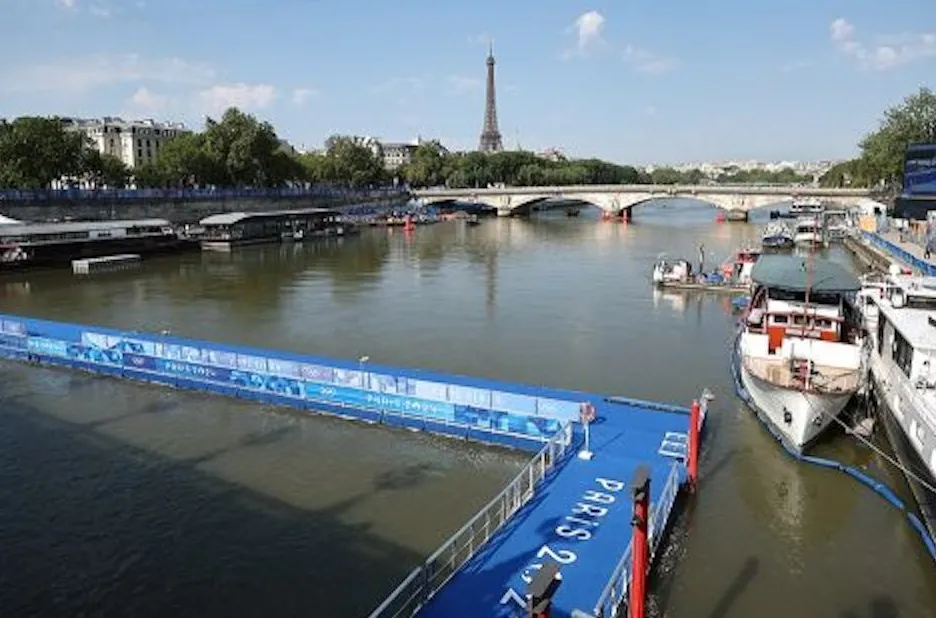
point(799, 349)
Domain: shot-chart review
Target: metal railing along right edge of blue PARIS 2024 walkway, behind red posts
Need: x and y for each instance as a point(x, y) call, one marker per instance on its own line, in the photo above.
point(613, 600)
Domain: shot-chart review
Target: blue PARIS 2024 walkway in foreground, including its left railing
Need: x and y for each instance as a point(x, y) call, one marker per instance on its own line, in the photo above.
point(579, 517)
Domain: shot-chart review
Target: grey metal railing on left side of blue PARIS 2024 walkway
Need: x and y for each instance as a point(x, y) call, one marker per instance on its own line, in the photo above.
point(427, 579)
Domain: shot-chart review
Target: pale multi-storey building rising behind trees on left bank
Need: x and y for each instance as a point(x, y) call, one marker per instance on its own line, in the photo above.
point(135, 142)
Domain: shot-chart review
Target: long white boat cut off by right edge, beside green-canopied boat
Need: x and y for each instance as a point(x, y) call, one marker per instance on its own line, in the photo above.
point(902, 353)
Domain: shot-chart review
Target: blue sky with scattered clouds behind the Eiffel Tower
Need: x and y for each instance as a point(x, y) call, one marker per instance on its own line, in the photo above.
point(631, 81)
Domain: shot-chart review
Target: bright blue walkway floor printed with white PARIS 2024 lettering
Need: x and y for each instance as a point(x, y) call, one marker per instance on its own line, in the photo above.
point(494, 582)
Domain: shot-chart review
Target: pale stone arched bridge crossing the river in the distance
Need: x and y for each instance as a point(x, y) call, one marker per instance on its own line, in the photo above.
point(620, 199)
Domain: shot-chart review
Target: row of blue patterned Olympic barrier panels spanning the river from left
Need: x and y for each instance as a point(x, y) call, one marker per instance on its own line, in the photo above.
point(502, 416)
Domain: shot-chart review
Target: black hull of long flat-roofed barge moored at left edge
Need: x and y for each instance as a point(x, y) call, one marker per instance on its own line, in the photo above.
point(62, 254)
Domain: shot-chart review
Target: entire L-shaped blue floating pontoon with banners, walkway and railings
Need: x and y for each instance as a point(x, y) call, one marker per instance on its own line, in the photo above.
point(569, 514)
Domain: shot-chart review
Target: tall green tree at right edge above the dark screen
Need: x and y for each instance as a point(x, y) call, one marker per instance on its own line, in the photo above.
point(913, 120)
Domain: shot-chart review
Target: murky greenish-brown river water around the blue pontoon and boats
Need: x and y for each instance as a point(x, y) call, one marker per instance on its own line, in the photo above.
point(119, 499)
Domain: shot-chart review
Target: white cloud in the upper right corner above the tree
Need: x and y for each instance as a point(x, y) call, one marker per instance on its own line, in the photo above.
point(885, 52)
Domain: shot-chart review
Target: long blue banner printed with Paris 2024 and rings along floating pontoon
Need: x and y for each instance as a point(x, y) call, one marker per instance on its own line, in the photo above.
point(191, 364)
